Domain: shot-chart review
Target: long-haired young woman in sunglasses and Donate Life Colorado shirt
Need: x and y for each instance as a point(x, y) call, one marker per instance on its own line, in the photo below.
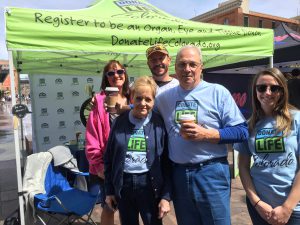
point(272, 184)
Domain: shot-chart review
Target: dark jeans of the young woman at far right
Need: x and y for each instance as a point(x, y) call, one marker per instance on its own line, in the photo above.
point(258, 220)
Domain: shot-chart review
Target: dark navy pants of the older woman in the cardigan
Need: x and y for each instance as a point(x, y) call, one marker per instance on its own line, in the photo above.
point(137, 197)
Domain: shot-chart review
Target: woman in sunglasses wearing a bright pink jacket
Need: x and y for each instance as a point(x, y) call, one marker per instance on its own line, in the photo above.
point(98, 128)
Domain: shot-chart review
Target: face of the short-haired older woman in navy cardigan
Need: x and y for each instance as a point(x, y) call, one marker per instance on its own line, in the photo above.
point(143, 101)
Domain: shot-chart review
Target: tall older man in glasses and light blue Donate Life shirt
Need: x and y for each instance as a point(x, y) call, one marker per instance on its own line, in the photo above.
point(200, 173)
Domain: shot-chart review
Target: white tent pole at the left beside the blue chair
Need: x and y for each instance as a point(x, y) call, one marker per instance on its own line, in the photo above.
point(16, 137)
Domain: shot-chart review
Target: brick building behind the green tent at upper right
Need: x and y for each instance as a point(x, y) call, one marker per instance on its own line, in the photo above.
point(237, 13)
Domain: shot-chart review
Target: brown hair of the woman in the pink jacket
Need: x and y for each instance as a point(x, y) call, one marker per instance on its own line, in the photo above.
point(105, 83)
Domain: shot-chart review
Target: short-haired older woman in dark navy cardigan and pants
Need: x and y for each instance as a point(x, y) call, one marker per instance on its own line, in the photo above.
point(137, 179)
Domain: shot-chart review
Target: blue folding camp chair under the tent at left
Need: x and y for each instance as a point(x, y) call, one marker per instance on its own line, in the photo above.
point(61, 199)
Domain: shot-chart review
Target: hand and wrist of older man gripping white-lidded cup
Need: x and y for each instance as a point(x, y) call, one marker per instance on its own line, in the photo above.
point(194, 132)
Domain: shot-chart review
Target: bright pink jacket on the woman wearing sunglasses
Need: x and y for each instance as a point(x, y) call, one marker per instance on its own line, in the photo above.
point(97, 132)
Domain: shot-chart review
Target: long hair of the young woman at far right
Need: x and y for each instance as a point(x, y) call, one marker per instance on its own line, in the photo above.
point(281, 112)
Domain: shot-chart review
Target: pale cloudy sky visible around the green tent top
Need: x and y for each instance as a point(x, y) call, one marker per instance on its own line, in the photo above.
point(183, 9)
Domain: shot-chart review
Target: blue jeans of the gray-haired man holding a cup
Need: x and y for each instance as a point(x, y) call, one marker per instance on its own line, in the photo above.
point(201, 193)
